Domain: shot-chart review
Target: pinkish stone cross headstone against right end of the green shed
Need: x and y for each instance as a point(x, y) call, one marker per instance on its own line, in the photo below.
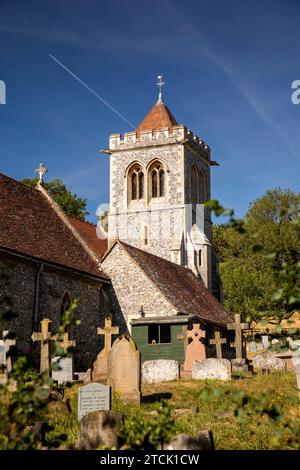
point(194, 347)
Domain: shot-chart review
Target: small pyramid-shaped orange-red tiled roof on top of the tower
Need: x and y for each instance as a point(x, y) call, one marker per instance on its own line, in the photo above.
point(158, 117)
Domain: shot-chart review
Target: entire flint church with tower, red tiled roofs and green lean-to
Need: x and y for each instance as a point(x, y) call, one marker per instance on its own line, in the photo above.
point(154, 271)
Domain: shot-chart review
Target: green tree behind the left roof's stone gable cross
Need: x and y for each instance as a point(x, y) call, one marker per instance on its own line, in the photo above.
point(70, 203)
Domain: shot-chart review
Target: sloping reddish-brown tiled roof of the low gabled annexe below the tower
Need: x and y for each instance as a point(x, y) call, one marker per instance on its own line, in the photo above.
point(180, 286)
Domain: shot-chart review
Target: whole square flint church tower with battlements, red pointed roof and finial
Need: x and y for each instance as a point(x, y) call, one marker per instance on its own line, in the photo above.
point(159, 181)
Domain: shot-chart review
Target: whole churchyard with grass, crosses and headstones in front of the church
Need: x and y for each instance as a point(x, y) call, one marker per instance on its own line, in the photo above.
point(243, 403)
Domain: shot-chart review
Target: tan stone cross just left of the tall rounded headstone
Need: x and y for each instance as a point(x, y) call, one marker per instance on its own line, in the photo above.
point(100, 364)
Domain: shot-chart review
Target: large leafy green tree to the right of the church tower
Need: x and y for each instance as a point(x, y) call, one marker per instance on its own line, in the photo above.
point(256, 266)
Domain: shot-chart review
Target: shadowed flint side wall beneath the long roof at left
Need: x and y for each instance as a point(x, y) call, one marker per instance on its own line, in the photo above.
point(20, 287)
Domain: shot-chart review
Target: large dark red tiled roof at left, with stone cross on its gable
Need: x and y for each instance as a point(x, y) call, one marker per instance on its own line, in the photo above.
point(29, 225)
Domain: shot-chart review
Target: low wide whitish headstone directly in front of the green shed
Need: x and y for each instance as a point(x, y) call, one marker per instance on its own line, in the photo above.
point(160, 370)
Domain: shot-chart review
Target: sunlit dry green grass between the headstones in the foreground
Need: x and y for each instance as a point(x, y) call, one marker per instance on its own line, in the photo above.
point(195, 411)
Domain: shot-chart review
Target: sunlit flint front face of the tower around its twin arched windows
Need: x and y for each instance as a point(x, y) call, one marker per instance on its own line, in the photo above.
point(163, 218)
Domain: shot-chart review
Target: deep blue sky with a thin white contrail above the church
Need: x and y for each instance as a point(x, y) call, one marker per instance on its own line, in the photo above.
point(228, 67)
